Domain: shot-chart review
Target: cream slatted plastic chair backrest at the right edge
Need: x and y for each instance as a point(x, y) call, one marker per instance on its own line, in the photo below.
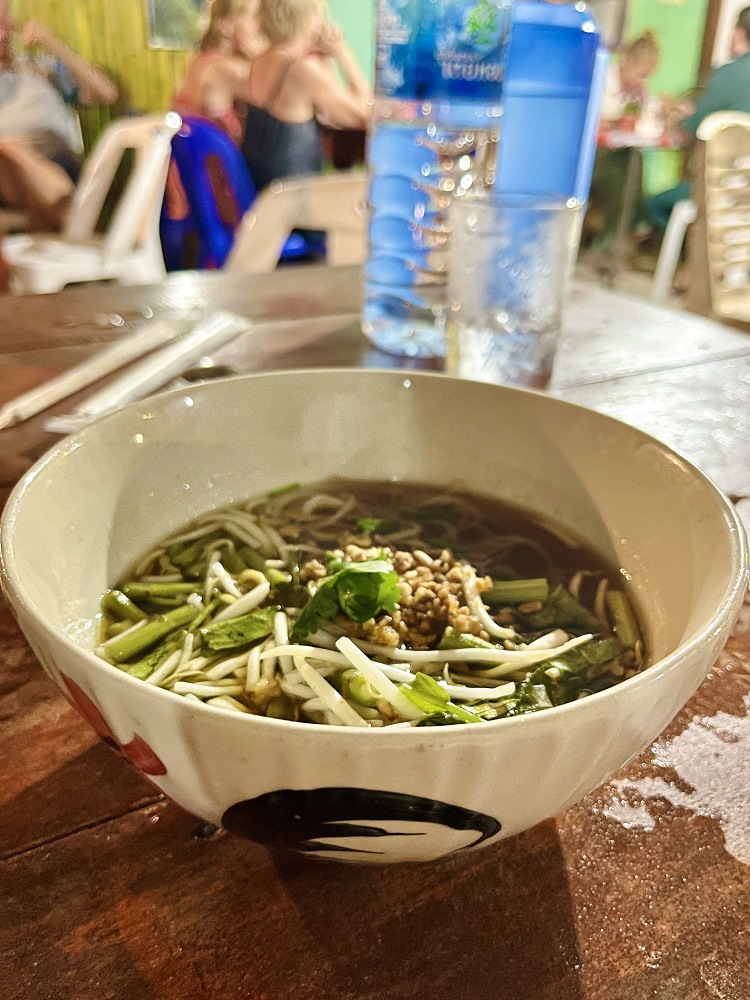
point(726, 204)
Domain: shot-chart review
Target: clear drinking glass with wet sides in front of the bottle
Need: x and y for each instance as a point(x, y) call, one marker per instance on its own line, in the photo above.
point(510, 261)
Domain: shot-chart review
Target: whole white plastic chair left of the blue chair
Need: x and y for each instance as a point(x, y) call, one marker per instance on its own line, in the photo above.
point(129, 251)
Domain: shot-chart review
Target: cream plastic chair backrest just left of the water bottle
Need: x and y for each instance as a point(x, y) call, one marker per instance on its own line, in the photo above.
point(333, 203)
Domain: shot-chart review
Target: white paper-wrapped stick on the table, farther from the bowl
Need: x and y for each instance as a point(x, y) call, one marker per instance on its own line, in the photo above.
point(144, 339)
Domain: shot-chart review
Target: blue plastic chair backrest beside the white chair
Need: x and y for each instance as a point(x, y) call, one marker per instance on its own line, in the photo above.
point(217, 185)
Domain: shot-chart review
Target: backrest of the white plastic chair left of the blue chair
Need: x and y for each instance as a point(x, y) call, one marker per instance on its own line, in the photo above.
point(135, 218)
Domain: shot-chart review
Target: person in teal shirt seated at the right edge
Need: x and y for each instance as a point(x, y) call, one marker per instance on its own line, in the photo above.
point(728, 89)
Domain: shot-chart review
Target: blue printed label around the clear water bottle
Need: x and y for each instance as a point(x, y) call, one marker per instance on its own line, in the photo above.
point(441, 49)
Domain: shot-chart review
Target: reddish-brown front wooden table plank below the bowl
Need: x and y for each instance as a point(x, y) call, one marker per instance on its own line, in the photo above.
point(581, 907)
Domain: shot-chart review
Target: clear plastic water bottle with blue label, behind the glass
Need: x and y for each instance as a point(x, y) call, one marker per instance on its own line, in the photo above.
point(439, 74)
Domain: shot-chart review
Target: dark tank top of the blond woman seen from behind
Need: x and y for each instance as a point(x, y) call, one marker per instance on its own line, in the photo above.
point(274, 149)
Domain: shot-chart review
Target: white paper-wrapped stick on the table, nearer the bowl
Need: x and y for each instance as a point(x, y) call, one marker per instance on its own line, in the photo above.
point(154, 371)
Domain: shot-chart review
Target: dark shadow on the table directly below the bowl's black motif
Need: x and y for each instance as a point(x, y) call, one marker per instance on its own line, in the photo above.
point(401, 922)
